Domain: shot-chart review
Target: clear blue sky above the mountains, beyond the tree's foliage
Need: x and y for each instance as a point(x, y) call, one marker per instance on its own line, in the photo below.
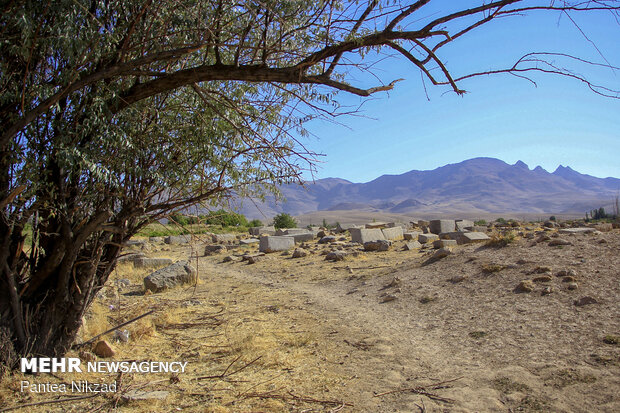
point(559, 122)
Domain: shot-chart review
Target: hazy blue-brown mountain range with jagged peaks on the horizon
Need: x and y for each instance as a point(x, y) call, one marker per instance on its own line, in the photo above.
point(484, 185)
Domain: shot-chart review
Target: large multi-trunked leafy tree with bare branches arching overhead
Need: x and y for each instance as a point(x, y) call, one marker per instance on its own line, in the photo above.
point(114, 114)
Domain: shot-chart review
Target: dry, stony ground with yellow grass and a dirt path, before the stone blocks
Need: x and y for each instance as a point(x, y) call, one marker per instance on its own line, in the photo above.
point(527, 325)
